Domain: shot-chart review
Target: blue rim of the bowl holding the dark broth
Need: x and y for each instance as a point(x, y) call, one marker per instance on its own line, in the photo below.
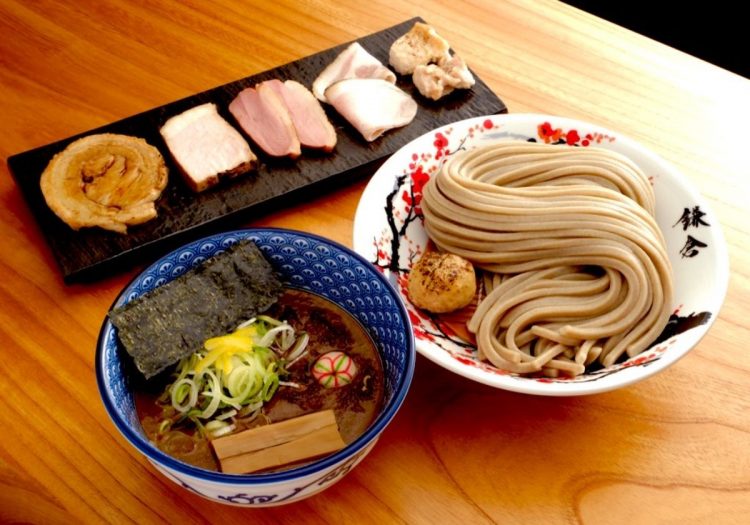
point(163, 459)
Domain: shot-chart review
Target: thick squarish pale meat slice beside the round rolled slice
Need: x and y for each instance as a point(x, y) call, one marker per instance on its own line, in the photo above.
point(206, 147)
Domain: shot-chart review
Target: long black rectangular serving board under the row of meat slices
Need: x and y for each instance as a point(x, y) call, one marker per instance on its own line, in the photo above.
point(183, 215)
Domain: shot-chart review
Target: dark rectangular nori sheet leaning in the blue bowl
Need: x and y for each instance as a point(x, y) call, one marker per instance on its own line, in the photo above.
point(172, 321)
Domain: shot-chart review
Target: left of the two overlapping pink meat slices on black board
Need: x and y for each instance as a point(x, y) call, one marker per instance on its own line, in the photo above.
point(263, 115)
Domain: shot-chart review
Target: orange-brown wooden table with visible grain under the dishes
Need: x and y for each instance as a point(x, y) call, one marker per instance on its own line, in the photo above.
point(673, 448)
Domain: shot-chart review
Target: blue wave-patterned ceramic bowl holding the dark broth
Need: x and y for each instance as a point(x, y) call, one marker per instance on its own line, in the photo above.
point(304, 261)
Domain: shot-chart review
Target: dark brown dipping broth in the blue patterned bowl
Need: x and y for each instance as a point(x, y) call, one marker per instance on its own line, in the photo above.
point(330, 328)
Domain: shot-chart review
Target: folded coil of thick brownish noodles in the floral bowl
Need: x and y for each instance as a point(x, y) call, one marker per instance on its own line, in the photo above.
point(574, 265)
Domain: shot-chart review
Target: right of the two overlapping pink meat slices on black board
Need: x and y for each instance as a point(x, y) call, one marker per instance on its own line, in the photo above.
point(311, 123)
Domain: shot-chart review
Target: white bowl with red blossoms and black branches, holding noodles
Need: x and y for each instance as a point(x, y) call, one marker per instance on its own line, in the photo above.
point(422, 156)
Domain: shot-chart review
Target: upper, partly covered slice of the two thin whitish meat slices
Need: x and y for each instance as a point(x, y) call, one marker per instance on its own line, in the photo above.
point(353, 62)
